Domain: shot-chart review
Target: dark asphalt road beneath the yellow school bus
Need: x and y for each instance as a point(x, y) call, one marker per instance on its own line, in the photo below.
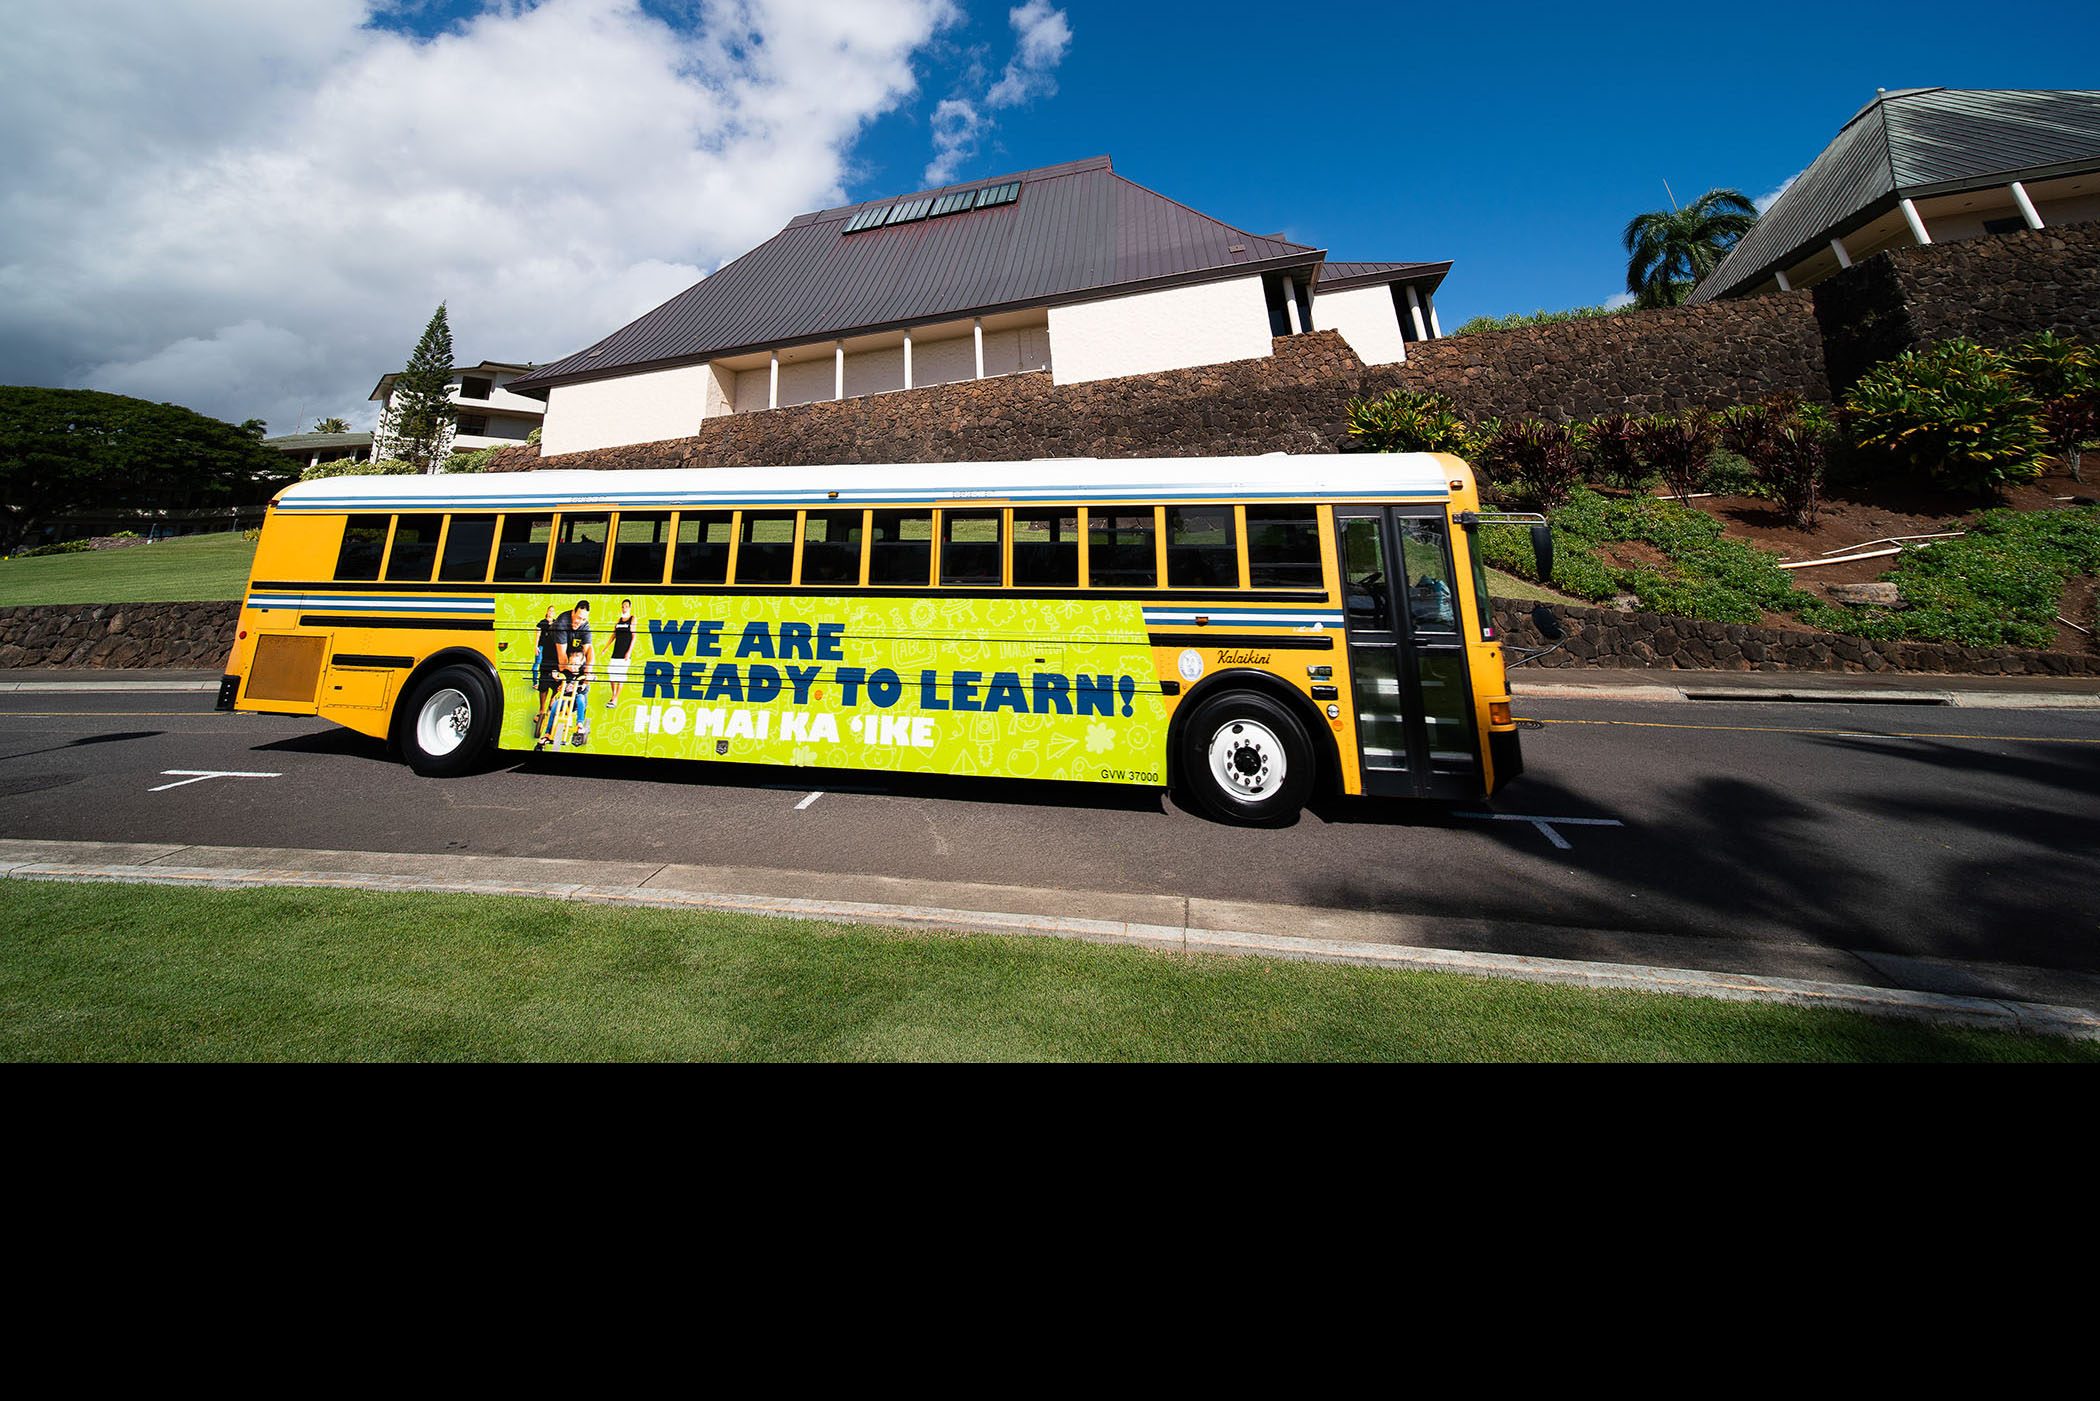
point(1925, 833)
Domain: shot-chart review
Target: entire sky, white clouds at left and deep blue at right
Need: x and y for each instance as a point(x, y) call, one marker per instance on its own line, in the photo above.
point(251, 207)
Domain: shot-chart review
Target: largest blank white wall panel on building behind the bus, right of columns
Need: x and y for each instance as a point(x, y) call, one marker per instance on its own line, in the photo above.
point(1160, 331)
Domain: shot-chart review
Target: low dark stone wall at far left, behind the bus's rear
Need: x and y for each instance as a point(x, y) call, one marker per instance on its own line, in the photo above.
point(110, 635)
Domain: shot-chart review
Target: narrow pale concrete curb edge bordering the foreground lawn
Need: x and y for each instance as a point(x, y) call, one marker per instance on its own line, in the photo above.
point(1944, 1009)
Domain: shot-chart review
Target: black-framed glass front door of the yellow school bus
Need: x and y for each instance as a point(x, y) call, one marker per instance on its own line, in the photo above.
point(1406, 654)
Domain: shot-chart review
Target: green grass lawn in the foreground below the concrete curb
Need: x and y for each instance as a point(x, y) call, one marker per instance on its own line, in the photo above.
point(117, 974)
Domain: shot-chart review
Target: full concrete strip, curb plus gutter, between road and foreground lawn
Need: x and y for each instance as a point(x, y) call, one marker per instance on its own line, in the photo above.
point(1952, 992)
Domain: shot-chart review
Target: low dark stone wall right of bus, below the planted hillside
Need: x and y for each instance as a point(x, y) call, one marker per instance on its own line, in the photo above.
point(1652, 642)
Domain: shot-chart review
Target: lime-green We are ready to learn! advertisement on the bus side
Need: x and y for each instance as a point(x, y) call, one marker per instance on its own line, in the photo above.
point(1015, 688)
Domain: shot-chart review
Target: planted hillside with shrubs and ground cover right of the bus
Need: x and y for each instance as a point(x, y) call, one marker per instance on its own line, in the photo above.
point(1954, 472)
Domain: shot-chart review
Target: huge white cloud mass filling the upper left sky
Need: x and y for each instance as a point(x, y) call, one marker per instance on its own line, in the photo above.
point(251, 207)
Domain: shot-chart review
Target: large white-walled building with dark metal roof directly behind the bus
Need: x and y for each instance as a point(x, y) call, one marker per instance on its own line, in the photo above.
point(1068, 270)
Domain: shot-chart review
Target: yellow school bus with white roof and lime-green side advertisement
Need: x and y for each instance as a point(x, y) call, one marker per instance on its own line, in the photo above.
point(1240, 629)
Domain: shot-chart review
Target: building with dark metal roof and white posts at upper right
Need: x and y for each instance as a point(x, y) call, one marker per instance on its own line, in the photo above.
point(1918, 167)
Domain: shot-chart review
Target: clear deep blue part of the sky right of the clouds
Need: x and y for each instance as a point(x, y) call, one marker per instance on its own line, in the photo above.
point(1515, 140)
